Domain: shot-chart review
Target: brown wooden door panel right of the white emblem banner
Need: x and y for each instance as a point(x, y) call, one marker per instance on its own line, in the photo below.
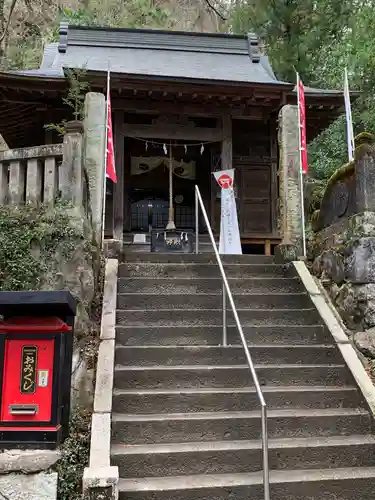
point(255, 200)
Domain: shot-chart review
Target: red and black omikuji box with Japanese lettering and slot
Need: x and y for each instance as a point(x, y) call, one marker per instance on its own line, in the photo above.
point(36, 346)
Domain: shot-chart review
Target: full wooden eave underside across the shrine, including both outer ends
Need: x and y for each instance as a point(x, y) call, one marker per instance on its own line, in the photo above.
point(24, 99)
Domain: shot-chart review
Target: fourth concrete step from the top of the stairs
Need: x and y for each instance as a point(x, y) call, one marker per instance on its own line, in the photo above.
point(212, 301)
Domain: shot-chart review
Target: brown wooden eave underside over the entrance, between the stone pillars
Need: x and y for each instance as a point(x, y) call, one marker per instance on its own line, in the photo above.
point(200, 98)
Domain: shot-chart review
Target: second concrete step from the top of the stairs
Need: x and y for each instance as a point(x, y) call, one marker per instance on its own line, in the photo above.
point(196, 270)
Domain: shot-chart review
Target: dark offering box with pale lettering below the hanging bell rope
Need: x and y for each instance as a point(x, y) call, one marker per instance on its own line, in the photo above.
point(172, 241)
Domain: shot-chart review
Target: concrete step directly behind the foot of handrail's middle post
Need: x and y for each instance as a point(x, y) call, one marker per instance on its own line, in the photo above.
point(212, 335)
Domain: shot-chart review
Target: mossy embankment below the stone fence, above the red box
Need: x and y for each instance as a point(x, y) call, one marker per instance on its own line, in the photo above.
point(49, 249)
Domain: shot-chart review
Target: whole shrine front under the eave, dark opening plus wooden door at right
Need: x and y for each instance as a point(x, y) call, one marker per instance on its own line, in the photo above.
point(150, 146)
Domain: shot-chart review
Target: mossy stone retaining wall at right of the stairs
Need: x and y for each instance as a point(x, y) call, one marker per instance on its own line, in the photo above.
point(343, 246)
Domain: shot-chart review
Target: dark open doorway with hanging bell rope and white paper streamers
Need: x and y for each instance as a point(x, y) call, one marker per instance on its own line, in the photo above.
point(149, 181)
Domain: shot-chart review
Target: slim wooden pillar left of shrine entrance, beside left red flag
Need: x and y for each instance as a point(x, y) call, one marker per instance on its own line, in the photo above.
point(118, 188)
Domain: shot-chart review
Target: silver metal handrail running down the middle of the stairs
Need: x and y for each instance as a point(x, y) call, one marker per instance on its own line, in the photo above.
point(228, 293)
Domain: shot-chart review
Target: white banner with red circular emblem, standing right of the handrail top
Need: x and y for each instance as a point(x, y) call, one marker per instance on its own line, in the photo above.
point(230, 241)
